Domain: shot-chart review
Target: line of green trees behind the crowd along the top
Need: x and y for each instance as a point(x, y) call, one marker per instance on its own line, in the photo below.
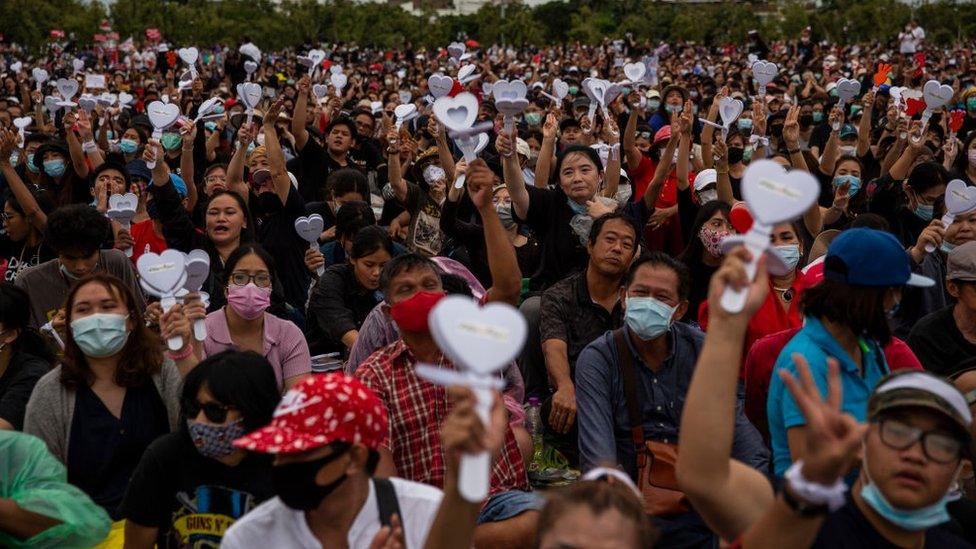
point(273, 25)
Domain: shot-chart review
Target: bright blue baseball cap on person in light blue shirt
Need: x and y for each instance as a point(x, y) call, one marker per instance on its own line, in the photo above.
point(868, 257)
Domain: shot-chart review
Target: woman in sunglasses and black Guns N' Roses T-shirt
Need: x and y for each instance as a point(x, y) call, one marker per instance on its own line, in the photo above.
point(194, 476)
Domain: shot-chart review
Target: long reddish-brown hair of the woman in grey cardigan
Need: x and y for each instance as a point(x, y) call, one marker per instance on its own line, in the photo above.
point(139, 359)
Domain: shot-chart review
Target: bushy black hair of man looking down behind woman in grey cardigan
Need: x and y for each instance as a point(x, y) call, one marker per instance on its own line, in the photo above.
point(77, 228)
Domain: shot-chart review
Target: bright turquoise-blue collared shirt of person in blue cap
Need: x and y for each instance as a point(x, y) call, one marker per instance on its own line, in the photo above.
point(815, 343)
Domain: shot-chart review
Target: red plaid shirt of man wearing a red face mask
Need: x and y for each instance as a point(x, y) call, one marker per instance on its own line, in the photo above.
point(417, 408)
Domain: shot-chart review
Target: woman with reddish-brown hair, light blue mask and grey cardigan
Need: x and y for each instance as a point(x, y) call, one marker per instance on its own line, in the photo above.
point(113, 394)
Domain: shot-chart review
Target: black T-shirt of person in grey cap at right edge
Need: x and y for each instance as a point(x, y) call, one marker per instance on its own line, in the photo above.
point(938, 343)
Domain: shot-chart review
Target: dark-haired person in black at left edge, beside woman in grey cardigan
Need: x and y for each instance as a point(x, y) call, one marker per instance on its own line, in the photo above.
point(24, 356)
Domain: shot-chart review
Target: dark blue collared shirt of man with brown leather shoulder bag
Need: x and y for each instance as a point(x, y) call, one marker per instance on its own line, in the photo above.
point(601, 406)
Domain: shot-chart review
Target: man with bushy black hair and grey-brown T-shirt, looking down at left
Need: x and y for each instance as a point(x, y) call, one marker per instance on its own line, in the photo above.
point(77, 233)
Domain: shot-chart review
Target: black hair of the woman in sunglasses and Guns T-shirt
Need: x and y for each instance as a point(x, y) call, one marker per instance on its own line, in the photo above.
point(244, 380)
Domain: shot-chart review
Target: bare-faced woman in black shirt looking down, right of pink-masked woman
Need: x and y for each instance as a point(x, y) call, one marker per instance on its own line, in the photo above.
point(347, 292)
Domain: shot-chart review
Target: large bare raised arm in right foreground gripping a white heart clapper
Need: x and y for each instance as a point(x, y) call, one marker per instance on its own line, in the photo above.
point(729, 495)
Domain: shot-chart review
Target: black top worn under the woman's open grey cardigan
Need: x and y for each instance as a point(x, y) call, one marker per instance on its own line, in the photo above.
point(103, 450)
